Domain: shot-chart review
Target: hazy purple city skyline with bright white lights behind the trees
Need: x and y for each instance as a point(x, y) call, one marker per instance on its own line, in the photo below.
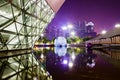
point(79, 29)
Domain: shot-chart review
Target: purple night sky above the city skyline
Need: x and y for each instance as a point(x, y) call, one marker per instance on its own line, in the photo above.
point(103, 13)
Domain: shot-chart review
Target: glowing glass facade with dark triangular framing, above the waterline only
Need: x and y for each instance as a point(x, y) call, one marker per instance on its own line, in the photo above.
point(22, 21)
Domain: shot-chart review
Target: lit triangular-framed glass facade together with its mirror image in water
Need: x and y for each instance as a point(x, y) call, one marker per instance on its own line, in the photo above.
point(21, 23)
